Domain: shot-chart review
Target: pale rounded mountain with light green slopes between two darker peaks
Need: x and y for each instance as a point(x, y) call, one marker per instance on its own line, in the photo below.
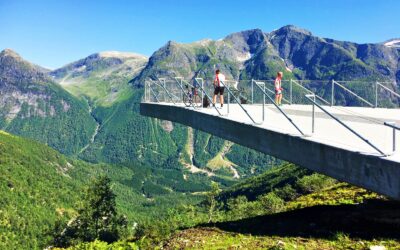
point(101, 77)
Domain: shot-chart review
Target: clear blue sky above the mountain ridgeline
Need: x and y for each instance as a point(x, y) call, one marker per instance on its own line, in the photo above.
point(55, 32)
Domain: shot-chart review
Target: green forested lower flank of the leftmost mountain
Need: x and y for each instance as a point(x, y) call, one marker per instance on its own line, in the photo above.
point(65, 129)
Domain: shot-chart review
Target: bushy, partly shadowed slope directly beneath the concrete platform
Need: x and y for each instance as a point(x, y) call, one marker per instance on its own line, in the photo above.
point(319, 214)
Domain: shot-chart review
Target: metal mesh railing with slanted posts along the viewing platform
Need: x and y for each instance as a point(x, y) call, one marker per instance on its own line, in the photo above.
point(259, 92)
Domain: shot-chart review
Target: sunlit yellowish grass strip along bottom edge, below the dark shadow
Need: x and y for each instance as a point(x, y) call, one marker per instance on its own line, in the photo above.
point(214, 238)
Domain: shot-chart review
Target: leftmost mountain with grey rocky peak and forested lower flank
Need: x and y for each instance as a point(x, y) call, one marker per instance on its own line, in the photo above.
point(34, 106)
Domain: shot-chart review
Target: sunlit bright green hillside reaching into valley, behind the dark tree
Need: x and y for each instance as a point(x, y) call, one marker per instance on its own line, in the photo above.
point(39, 186)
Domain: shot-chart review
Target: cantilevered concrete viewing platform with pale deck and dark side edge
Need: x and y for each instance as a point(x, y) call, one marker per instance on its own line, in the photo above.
point(331, 150)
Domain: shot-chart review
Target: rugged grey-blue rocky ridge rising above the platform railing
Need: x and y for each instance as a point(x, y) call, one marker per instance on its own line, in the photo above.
point(254, 54)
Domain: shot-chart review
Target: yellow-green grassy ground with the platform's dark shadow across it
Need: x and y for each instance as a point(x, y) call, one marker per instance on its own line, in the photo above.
point(339, 217)
